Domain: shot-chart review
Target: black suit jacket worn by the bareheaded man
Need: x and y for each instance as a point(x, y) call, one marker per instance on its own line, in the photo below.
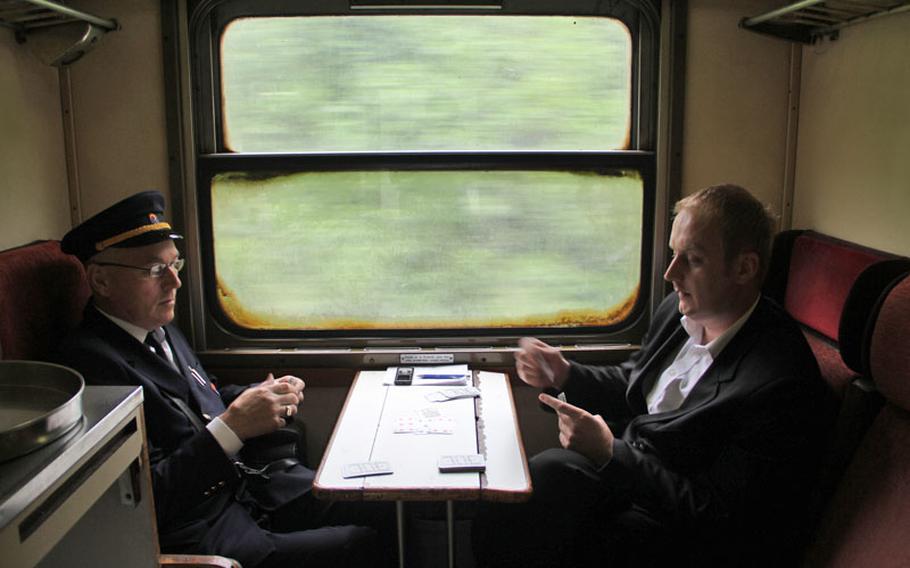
point(729, 472)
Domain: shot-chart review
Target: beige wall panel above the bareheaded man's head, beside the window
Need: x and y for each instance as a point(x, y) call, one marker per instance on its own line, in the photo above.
point(736, 101)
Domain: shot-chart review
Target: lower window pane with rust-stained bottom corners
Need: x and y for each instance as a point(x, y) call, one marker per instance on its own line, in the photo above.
point(392, 250)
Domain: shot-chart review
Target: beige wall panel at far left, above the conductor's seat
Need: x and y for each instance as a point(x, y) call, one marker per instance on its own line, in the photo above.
point(33, 192)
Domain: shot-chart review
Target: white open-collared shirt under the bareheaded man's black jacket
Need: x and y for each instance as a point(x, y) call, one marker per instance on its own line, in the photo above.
point(689, 364)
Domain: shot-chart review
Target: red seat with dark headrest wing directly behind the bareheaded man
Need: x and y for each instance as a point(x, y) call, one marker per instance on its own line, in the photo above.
point(833, 289)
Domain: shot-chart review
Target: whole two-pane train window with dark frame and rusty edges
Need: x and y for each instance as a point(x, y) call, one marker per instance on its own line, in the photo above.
point(417, 174)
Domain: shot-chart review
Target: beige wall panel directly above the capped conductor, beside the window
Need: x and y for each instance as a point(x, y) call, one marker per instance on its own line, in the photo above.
point(118, 105)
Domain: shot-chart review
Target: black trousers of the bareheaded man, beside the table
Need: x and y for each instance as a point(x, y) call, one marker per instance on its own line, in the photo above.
point(574, 518)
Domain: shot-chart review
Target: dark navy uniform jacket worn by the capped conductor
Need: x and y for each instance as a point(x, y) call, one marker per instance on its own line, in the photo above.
point(198, 489)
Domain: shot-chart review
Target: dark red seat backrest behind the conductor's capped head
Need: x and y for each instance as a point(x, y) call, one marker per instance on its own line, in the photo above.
point(42, 294)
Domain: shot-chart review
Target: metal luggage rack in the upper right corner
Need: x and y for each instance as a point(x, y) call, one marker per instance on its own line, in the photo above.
point(810, 20)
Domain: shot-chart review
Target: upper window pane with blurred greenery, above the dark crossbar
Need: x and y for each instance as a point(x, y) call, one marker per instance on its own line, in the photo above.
point(419, 83)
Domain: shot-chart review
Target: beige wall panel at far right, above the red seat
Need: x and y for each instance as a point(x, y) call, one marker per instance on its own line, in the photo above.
point(853, 158)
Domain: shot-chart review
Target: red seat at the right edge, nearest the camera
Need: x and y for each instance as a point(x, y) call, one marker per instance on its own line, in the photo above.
point(868, 521)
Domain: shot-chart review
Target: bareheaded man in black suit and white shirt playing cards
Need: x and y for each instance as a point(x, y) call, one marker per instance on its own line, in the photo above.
point(701, 447)
